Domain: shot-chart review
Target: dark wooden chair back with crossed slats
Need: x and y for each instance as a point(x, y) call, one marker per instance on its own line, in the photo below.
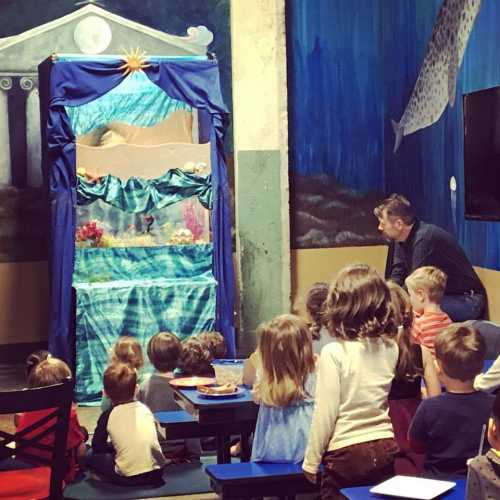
point(28, 442)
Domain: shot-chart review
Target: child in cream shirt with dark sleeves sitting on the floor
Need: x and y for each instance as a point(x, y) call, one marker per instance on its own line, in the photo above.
point(134, 456)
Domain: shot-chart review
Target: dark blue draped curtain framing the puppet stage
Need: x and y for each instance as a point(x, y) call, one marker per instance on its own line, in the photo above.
point(77, 82)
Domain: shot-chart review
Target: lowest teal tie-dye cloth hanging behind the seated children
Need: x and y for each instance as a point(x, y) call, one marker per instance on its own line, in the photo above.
point(139, 308)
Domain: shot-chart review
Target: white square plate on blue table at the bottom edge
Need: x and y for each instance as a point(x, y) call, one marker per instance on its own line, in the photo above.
point(412, 487)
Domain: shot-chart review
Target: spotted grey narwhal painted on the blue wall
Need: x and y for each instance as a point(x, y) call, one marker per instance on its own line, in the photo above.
point(437, 80)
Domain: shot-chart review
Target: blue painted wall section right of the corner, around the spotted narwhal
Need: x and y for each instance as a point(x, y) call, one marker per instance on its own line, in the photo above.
point(427, 158)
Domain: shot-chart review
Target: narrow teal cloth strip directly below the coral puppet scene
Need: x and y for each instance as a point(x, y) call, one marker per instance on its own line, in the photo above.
point(160, 262)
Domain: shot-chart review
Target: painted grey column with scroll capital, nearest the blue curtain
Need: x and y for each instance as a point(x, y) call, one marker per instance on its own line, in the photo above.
point(33, 133)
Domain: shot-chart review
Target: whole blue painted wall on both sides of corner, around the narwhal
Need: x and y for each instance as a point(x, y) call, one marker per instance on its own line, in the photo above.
point(353, 65)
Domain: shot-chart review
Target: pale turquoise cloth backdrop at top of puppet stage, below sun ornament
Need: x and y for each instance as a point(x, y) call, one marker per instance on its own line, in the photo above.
point(135, 101)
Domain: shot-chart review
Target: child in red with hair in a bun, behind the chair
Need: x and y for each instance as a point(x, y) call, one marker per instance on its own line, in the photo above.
point(49, 372)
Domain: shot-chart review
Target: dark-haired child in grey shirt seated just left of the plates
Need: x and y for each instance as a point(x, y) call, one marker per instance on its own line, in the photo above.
point(156, 393)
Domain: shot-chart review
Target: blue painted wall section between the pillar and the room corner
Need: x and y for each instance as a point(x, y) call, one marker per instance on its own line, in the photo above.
point(335, 91)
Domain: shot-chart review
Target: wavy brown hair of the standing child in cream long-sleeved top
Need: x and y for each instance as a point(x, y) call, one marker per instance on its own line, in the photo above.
point(359, 305)
